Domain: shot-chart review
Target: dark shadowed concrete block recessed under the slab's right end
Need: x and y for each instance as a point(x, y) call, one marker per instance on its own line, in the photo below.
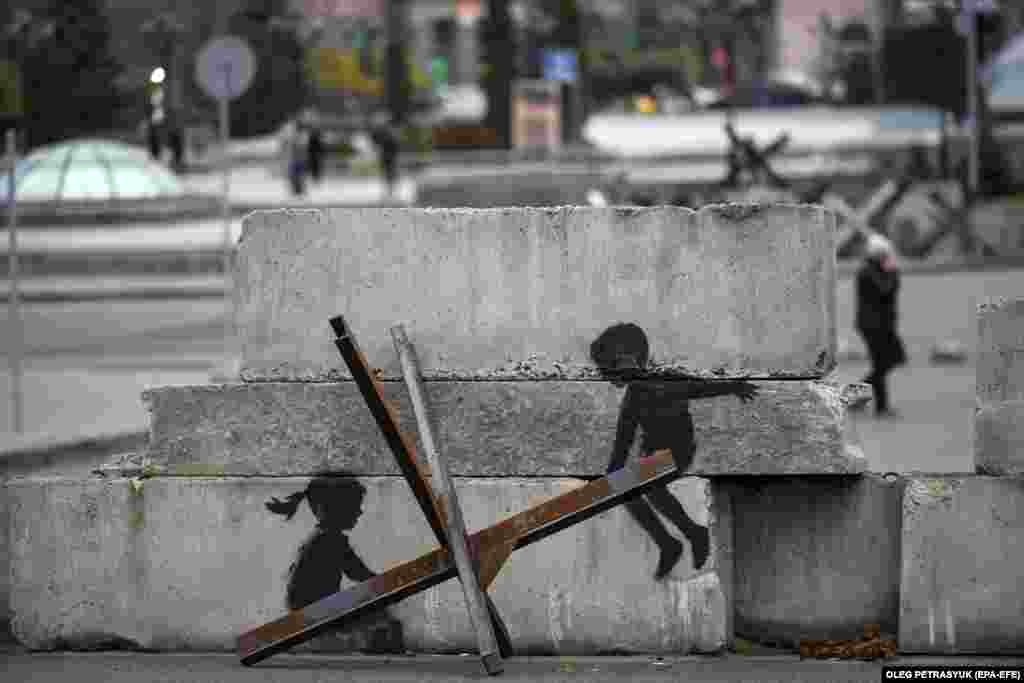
point(816, 558)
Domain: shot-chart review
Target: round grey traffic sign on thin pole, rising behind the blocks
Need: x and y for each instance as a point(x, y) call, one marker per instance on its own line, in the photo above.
point(225, 70)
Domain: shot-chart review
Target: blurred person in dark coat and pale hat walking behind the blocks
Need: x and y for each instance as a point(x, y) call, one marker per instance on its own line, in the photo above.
point(878, 287)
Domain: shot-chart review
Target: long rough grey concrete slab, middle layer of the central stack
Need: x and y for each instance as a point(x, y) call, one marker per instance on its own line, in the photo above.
point(487, 430)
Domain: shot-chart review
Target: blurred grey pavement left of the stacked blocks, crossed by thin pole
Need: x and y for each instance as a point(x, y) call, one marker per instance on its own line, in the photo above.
point(87, 364)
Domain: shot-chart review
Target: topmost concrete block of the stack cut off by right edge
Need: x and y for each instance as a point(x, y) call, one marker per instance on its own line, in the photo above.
point(1001, 351)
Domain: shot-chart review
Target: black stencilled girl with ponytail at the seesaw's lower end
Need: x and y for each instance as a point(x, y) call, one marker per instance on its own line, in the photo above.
point(327, 557)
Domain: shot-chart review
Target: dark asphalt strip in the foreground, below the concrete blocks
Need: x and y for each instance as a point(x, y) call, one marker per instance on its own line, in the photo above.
point(127, 667)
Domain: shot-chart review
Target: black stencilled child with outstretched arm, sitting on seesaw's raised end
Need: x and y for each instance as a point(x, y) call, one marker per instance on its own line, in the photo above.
point(661, 410)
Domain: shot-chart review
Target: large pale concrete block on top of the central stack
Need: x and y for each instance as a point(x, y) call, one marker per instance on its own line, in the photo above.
point(522, 293)
